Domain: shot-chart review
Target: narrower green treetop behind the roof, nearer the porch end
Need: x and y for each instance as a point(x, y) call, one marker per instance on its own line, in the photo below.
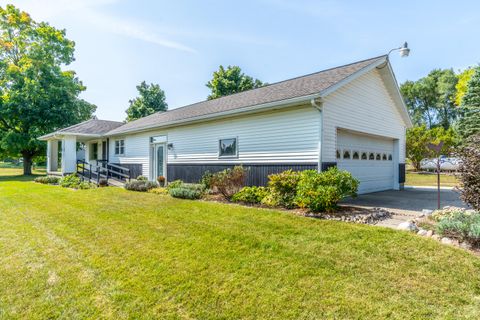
point(151, 99)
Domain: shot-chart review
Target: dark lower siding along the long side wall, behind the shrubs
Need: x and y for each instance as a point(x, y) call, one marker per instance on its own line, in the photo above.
point(257, 174)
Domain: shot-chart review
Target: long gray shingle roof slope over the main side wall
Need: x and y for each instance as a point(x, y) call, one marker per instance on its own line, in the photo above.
point(297, 87)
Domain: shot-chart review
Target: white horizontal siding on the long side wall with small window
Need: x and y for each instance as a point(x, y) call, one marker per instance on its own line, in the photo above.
point(281, 136)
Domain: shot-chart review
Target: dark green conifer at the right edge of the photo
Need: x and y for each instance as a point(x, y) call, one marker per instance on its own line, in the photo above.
point(469, 122)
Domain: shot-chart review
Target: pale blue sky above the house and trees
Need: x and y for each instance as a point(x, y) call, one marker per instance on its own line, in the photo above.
point(178, 44)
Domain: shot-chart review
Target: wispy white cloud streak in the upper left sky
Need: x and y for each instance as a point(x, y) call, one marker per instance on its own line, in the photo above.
point(89, 12)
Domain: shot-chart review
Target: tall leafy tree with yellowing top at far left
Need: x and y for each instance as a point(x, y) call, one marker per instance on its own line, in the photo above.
point(36, 95)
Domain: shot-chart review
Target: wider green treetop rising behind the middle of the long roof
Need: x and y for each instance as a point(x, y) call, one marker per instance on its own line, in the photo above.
point(229, 81)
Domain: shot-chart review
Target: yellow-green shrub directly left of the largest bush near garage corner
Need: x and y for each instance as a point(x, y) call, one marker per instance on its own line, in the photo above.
point(283, 187)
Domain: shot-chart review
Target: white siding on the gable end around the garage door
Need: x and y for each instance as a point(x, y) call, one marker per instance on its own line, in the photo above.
point(364, 105)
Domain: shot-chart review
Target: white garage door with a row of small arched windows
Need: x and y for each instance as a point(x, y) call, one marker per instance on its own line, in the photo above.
point(369, 159)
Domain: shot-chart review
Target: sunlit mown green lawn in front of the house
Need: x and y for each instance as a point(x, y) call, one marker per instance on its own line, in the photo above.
point(113, 254)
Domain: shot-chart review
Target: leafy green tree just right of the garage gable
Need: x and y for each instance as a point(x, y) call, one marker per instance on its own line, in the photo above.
point(431, 100)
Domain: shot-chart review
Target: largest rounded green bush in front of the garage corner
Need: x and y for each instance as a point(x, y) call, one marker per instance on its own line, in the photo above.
point(321, 191)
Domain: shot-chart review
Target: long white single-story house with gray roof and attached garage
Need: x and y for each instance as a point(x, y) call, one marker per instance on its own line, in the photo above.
point(351, 116)
